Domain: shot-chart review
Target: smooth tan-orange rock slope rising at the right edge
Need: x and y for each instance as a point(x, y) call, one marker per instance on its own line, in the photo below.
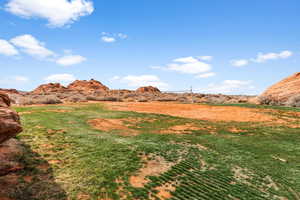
point(282, 91)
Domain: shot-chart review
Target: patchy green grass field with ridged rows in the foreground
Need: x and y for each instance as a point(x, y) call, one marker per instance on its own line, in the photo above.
point(68, 159)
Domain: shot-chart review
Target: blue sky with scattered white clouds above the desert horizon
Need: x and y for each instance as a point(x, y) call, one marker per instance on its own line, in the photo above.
point(215, 46)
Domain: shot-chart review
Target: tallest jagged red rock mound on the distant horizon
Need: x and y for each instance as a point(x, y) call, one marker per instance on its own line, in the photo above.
point(88, 87)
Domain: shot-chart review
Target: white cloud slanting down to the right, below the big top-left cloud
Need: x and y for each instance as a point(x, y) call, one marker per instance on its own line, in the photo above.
point(32, 46)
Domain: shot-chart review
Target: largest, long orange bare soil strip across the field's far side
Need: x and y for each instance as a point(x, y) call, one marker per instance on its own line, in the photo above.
point(194, 111)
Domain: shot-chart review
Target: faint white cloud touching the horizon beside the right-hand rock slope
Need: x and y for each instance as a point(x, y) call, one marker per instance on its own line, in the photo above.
point(230, 87)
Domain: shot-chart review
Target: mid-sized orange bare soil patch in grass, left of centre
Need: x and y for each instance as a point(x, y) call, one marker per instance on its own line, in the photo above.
point(113, 124)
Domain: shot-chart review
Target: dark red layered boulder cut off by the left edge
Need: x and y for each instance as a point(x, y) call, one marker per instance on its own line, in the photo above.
point(10, 124)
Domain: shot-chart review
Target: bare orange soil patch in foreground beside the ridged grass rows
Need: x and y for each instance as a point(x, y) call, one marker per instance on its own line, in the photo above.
point(153, 167)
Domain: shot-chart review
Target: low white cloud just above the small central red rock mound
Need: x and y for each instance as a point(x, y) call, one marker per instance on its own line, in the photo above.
point(142, 80)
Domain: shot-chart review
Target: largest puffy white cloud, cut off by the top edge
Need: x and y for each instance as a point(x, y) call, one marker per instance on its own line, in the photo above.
point(57, 12)
